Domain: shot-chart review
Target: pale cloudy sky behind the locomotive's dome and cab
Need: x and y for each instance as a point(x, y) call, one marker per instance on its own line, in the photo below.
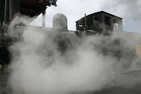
point(129, 10)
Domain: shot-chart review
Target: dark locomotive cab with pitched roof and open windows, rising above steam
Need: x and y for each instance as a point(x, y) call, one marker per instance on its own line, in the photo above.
point(100, 22)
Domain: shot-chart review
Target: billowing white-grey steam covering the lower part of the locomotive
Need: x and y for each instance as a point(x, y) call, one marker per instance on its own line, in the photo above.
point(45, 61)
